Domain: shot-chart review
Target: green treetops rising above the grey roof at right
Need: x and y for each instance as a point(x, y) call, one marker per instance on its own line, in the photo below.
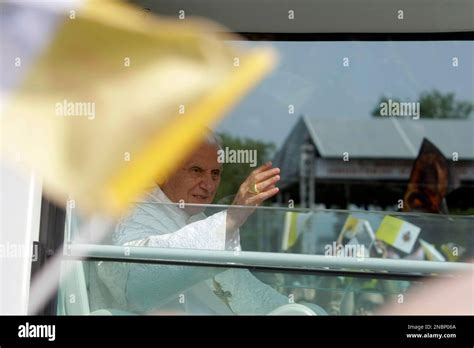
point(434, 104)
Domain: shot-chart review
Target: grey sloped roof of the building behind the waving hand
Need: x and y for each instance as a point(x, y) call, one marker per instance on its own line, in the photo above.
point(375, 138)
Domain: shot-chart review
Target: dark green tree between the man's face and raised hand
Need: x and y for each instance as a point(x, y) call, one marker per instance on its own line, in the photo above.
point(233, 174)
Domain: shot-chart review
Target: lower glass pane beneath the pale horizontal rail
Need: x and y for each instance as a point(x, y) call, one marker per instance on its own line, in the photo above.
point(104, 287)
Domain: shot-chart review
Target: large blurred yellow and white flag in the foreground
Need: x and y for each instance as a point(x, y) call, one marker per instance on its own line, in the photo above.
point(118, 99)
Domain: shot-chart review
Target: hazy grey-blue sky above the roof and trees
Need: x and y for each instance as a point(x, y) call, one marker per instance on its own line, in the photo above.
point(311, 76)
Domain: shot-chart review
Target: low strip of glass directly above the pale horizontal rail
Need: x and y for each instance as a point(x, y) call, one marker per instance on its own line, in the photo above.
point(415, 236)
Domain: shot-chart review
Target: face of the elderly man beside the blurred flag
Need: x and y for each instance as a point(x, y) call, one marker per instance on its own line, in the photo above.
point(197, 180)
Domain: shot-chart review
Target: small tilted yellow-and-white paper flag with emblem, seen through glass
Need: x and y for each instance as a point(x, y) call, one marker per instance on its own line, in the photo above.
point(397, 233)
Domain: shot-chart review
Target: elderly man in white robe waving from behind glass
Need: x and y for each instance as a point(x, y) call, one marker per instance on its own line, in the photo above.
point(160, 222)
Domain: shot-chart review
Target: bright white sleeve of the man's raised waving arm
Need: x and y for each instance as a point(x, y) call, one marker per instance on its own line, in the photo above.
point(206, 234)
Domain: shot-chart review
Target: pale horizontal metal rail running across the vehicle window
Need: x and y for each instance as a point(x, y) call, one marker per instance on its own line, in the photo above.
point(383, 268)
